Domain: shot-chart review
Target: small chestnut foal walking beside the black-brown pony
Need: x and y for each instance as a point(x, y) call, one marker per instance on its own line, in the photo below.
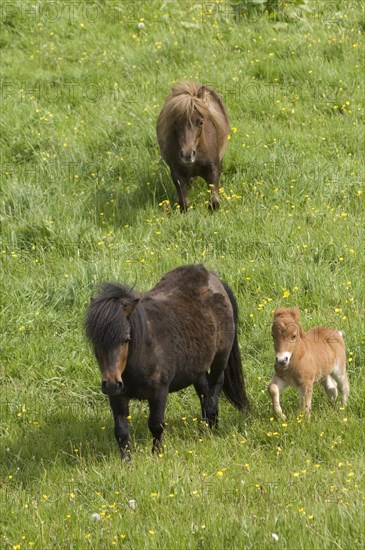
point(303, 358)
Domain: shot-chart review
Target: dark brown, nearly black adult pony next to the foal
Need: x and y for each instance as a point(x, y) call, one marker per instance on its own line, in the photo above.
point(181, 332)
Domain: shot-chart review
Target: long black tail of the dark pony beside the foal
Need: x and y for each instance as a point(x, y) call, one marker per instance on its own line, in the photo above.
point(234, 386)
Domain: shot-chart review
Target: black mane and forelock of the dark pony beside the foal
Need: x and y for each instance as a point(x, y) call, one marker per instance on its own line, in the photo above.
point(106, 323)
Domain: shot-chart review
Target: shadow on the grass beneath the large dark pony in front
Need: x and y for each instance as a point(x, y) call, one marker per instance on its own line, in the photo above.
point(77, 437)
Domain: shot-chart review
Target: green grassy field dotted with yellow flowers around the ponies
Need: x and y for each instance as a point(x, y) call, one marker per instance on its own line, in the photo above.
point(85, 197)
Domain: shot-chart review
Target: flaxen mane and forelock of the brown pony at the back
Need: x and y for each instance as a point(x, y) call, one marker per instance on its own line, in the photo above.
point(187, 97)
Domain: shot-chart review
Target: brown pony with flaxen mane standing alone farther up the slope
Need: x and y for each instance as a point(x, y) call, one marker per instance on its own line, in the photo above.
point(192, 132)
